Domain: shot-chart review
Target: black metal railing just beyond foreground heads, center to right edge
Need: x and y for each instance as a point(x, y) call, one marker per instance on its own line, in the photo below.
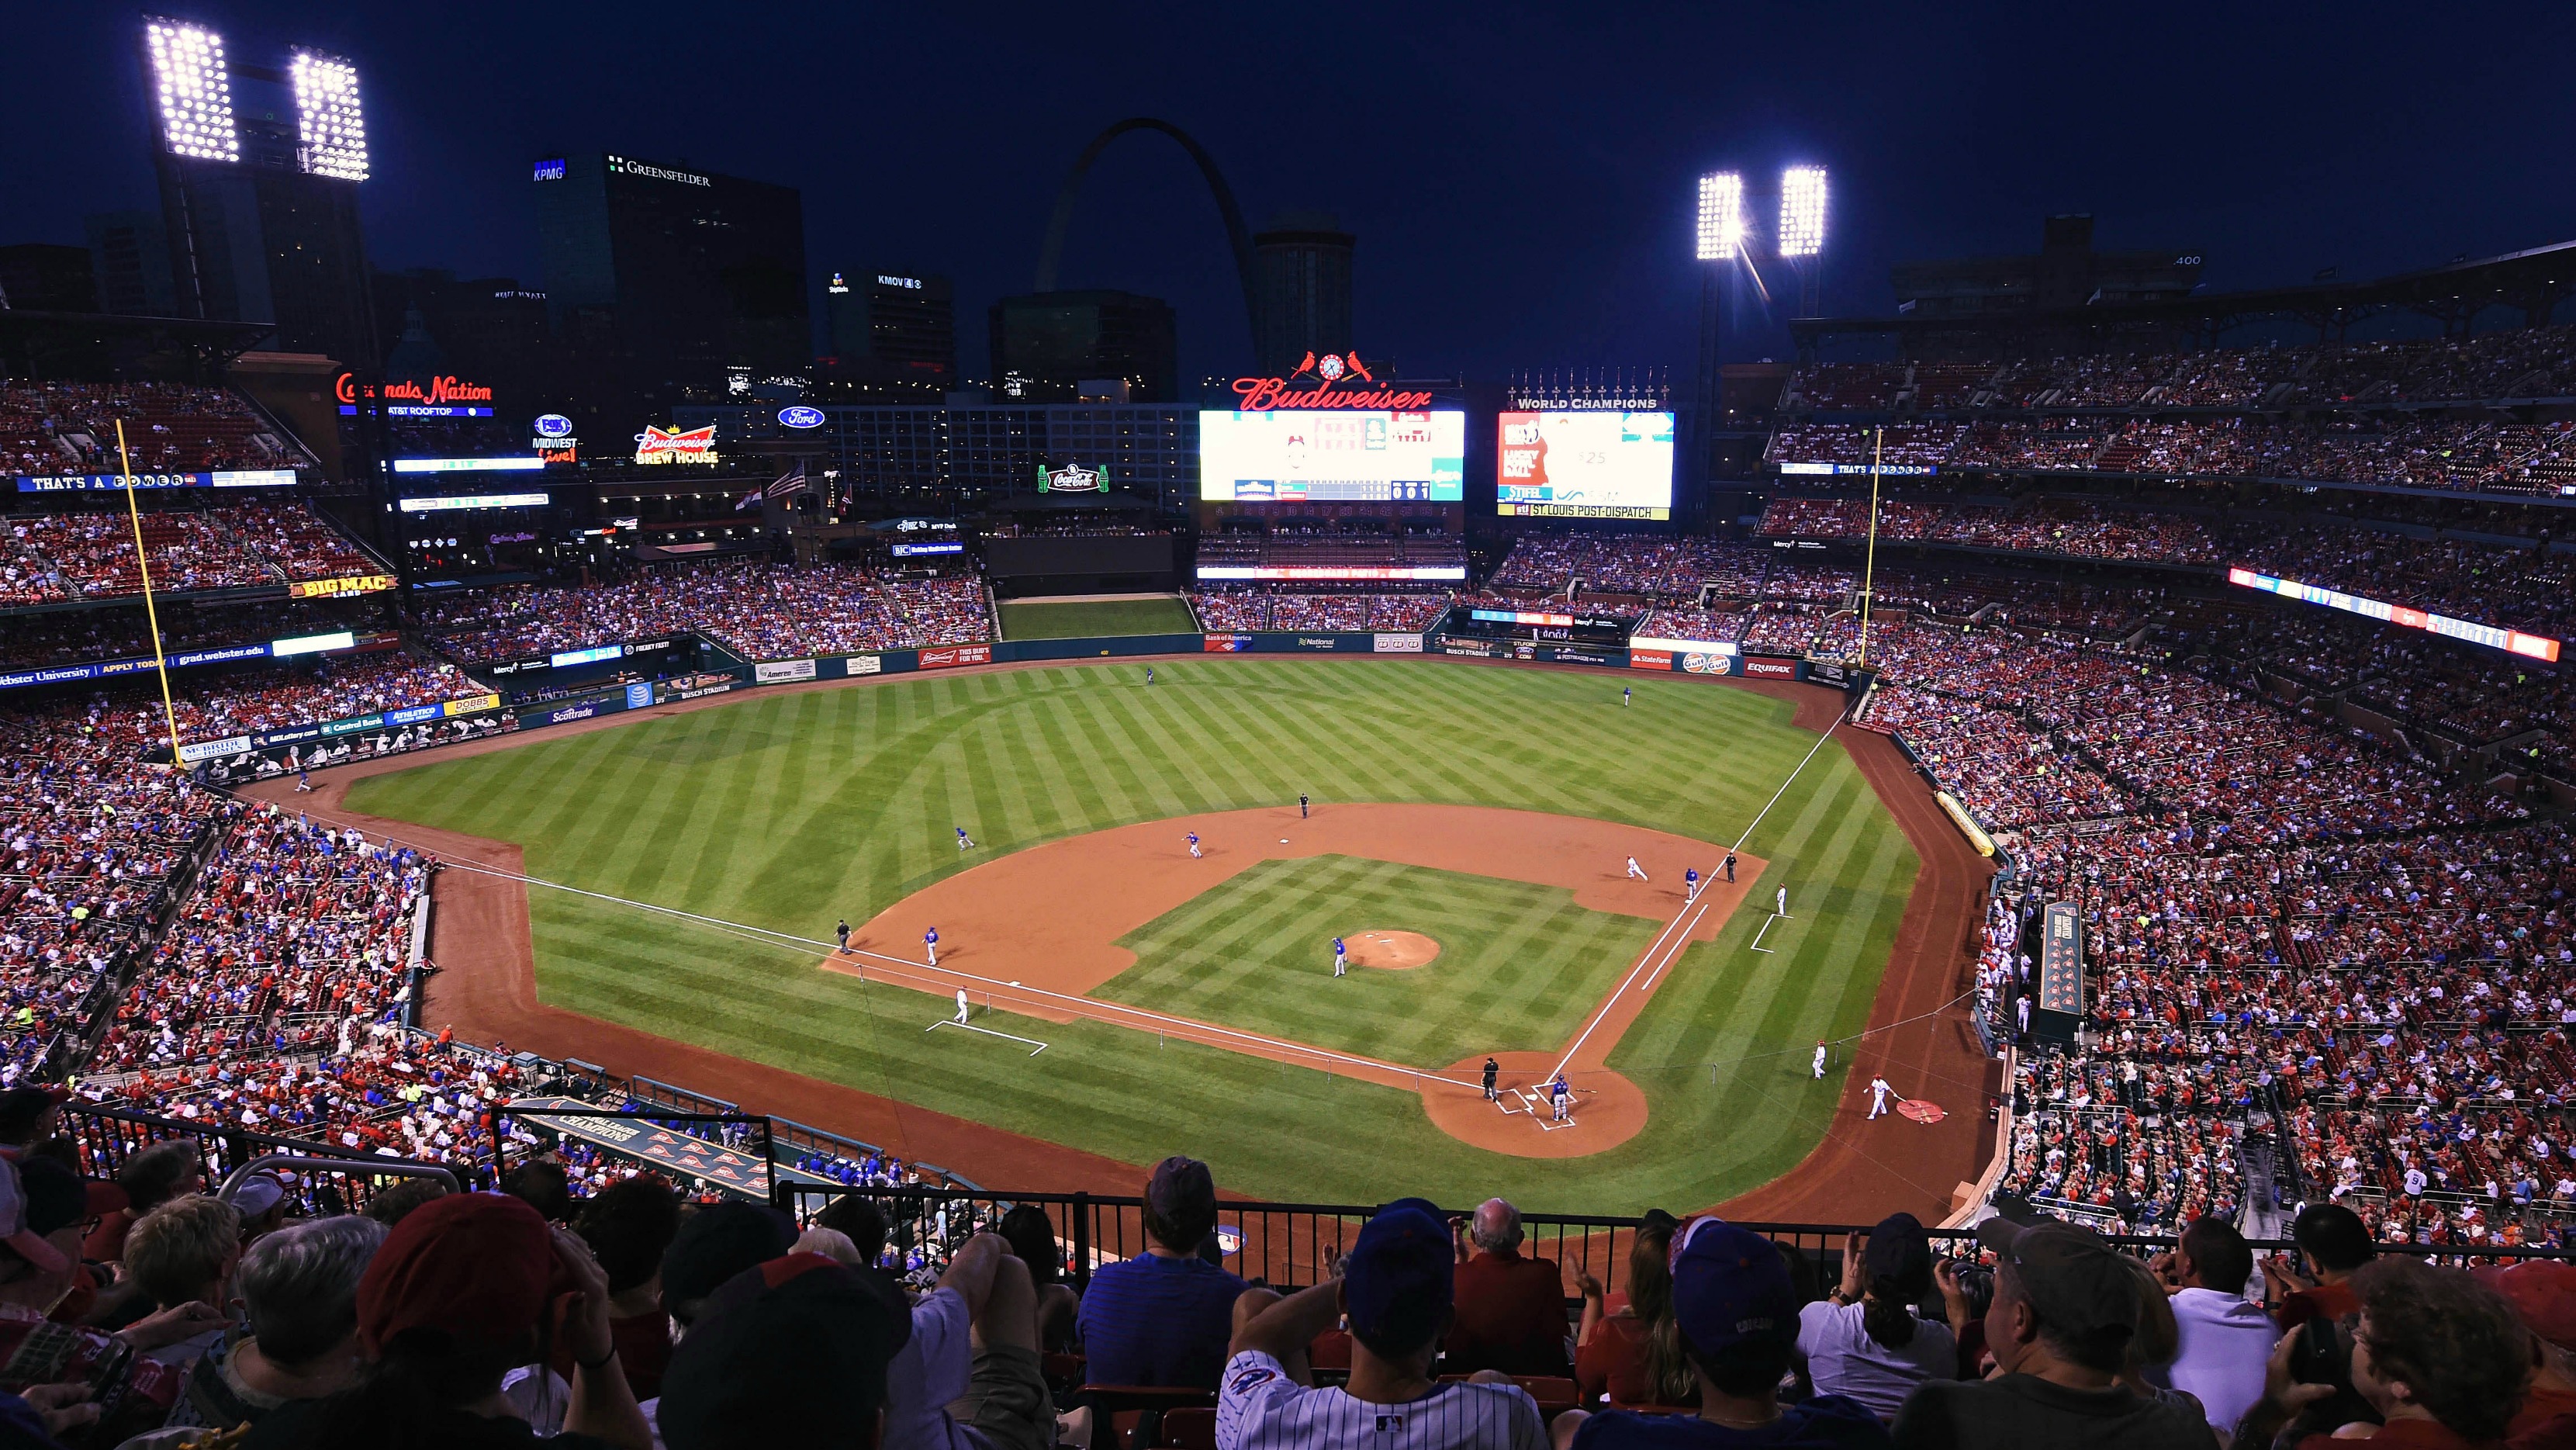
point(1294, 1243)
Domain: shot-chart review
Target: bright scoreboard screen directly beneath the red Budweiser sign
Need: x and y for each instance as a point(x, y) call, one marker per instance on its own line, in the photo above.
point(1331, 457)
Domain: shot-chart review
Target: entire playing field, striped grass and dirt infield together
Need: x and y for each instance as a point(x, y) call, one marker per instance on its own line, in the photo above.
point(1470, 833)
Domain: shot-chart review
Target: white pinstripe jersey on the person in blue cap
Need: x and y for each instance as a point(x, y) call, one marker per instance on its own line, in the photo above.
point(1258, 1408)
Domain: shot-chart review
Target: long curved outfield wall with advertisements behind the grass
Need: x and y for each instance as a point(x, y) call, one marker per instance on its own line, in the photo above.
point(367, 738)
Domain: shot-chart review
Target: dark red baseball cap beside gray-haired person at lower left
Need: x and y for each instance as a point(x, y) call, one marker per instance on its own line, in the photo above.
point(470, 1266)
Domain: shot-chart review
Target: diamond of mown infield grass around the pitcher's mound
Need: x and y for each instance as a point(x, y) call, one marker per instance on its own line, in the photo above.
point(1519, 965)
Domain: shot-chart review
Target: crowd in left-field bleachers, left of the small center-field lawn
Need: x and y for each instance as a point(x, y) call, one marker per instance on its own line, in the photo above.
point(764, 612)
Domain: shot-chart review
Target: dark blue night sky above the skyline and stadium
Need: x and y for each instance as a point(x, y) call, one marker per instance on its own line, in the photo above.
point(1519, 176)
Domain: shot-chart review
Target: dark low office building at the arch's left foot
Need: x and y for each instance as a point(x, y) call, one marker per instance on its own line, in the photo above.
point(1047, 346)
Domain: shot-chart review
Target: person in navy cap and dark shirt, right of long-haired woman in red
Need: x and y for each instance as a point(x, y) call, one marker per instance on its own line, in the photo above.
point(1740, 1323)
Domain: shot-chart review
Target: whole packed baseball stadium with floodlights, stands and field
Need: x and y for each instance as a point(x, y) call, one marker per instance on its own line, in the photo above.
point(1094, 908)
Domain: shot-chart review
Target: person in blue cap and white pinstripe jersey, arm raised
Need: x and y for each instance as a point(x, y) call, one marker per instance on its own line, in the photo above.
point(1397, 1292)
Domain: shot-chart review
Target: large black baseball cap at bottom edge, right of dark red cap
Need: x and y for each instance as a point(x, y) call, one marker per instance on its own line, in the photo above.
point(784, 1353)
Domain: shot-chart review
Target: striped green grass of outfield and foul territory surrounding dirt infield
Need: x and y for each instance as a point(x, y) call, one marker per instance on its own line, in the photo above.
point(802, 807)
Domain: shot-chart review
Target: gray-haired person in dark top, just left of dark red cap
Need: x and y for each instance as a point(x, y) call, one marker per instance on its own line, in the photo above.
point(300, 1297)
